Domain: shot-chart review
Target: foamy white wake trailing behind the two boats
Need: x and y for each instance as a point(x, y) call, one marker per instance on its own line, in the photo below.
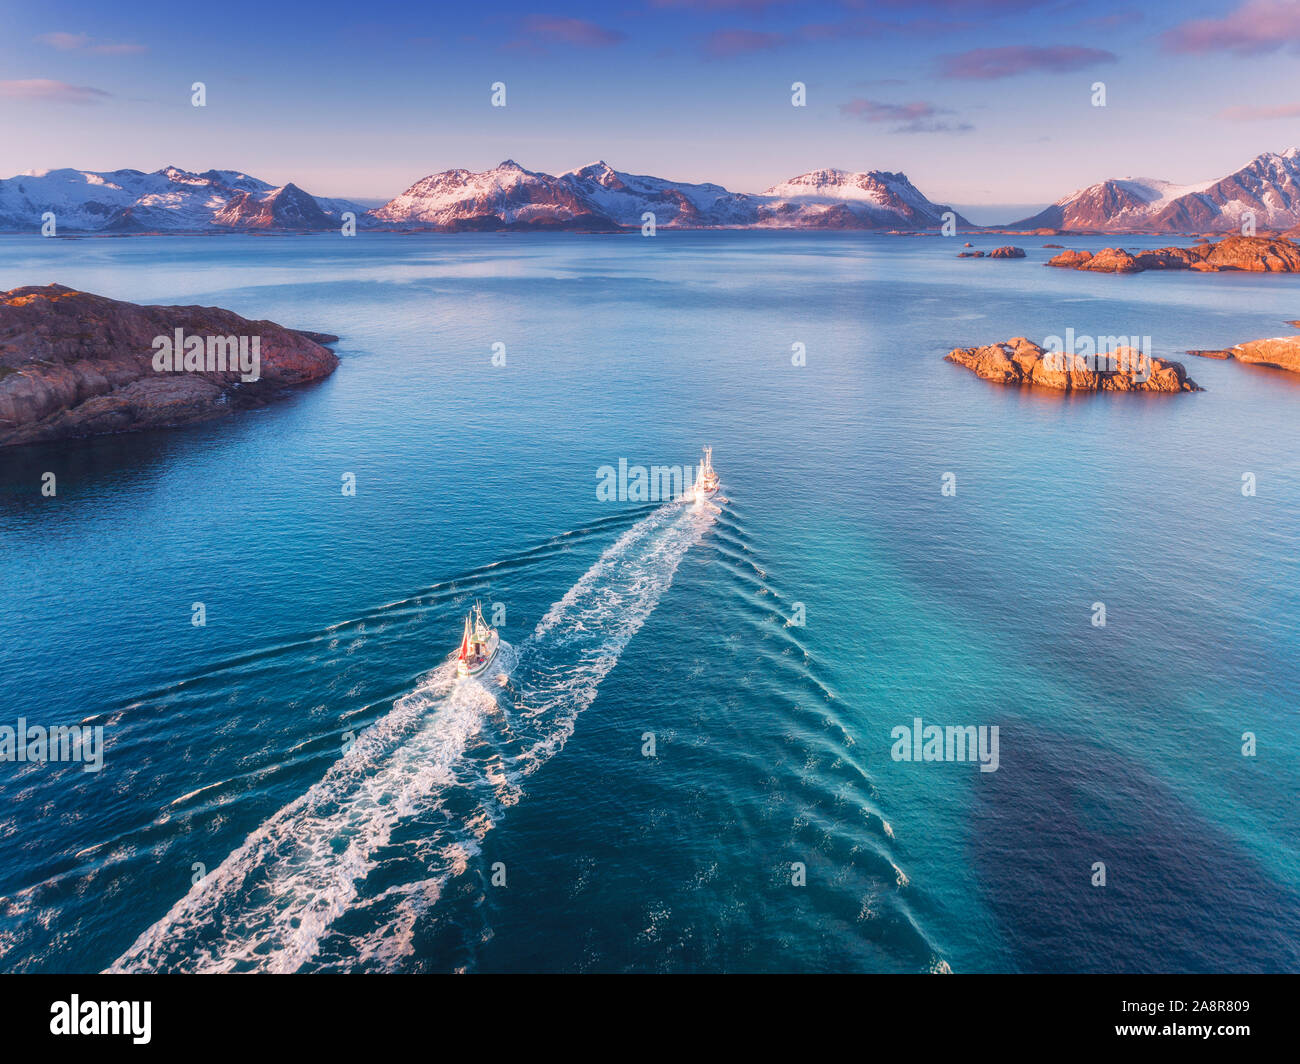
point(276, 903)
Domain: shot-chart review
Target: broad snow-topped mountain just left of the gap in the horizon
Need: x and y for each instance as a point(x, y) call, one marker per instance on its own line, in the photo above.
point(839, 200)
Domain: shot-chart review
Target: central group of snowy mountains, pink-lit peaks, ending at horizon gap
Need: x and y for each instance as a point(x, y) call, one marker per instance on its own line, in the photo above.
point(600, 197)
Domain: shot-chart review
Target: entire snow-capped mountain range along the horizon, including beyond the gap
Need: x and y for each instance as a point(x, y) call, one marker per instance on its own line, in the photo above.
point(600, 198)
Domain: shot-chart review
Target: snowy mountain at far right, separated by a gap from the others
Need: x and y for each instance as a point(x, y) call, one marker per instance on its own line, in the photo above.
point(1268, 189)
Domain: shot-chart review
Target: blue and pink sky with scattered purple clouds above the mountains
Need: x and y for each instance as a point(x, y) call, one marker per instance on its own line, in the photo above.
point(980, 102)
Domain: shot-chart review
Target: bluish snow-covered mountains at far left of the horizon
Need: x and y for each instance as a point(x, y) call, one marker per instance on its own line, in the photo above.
point(166, 201)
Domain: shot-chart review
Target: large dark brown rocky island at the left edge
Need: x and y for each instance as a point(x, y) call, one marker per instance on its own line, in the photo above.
point(77, 365)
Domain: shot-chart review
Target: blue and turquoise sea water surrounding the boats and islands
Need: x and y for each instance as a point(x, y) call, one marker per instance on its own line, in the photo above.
point(328, 618)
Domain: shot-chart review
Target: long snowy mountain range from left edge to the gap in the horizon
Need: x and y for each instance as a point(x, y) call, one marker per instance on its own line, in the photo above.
point(508, 197)
